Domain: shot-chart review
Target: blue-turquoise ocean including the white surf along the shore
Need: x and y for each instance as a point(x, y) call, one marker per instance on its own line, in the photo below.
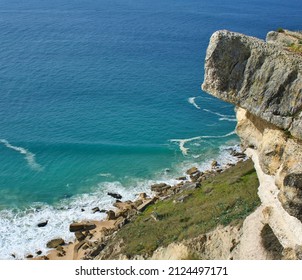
point(105, 95)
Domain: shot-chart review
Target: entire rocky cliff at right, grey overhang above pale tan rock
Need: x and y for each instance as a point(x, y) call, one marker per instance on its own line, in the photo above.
point(264, 81)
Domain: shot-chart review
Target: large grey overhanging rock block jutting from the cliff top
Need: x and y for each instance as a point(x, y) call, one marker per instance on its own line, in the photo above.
point(262, 78)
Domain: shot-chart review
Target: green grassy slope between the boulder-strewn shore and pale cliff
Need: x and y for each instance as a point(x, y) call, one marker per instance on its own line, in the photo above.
point(225, 198)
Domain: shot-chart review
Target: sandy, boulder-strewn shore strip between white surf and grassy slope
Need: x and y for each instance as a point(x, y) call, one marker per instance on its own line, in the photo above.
point(88, 243)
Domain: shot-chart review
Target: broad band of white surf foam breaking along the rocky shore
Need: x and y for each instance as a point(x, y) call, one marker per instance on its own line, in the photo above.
point(80, 209)
